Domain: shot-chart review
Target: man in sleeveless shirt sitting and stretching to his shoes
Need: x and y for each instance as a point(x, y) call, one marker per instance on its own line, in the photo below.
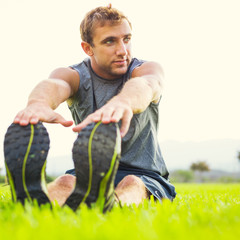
point(108, 88)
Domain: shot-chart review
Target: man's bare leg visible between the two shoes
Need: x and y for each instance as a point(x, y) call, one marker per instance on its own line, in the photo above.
point(60, 189)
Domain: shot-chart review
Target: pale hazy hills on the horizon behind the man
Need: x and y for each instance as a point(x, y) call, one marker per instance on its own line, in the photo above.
point(219, 154)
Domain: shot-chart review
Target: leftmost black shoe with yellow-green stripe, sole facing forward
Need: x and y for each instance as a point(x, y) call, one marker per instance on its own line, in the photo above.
point(25, 151)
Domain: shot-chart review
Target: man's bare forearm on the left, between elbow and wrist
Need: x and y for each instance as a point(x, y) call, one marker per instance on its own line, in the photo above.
point(51, 92)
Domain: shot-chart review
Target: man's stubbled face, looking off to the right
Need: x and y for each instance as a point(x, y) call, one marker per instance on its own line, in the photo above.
point(111, 53)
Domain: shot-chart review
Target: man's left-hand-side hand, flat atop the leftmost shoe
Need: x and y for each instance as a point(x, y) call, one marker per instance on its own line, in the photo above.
point(38, 111)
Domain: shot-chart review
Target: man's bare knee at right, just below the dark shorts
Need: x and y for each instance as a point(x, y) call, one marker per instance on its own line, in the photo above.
point(131, 190)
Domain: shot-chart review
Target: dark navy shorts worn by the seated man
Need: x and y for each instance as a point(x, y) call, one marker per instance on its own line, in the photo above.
point(157, 185)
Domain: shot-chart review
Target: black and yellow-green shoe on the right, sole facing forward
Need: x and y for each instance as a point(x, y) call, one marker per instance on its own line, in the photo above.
point(96, 155)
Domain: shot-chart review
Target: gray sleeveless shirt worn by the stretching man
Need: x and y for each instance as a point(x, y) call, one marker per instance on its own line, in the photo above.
point(140, 146)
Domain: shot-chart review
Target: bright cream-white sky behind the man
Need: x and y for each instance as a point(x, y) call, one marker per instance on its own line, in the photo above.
point(196, 42)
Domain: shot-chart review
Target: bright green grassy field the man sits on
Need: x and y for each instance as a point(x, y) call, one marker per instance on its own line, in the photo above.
point(200, 211)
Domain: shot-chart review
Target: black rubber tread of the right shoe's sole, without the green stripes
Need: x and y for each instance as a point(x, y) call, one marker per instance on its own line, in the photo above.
point(103, 145)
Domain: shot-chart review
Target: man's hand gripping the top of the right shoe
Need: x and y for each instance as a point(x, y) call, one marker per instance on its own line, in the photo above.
point(113, 111)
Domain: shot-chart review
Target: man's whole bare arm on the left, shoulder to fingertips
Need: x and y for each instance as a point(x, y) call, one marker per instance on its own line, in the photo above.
point(47, 96)
